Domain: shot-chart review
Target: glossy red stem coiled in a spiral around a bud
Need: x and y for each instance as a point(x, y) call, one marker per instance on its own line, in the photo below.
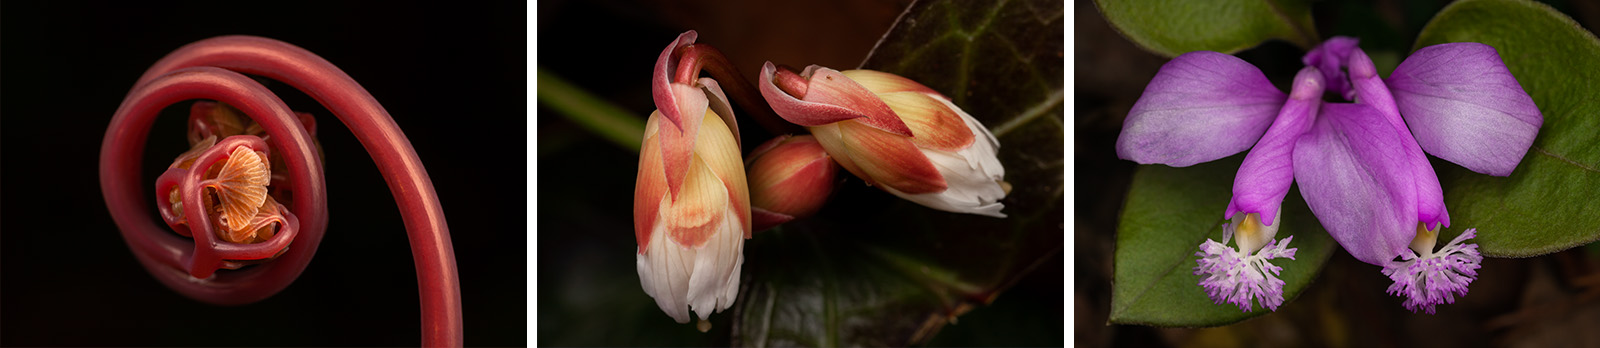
point(198, 73)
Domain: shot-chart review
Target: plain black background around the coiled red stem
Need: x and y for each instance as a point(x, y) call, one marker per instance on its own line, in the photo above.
point(450, 73)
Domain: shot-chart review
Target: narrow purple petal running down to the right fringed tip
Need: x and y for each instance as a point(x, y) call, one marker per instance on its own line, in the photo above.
point(1370, 90)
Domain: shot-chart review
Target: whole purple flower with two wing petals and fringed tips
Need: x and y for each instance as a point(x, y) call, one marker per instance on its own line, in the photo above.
point(1361, 167)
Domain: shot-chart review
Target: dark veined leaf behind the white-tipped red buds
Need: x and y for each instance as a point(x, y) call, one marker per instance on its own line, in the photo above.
point(876, 271)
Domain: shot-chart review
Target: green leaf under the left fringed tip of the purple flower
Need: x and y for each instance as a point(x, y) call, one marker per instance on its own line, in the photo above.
point(1170, 212)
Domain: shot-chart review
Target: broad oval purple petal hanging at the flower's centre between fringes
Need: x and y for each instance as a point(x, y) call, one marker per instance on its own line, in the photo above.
point(1358, 181)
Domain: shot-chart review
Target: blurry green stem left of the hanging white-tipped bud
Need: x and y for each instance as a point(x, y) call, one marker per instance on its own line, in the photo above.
point(588, 111)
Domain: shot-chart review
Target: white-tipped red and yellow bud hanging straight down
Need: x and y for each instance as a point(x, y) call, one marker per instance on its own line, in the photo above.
point(692, 205)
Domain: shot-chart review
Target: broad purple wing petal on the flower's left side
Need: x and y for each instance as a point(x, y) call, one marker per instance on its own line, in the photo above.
point(1202, 106)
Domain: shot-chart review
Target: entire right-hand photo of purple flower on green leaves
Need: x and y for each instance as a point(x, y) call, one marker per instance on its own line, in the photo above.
point(1380, 181)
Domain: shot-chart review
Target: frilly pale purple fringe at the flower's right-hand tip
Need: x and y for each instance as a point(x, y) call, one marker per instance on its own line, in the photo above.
point(1428, 279)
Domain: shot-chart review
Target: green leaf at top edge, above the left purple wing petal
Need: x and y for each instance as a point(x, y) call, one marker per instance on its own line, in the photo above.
point(1174, 28)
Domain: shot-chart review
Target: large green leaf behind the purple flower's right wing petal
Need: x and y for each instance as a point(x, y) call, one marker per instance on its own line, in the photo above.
point(1548, 204)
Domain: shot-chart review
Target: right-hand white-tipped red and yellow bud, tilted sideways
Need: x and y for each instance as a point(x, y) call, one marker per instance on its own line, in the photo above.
point(894, 133)
